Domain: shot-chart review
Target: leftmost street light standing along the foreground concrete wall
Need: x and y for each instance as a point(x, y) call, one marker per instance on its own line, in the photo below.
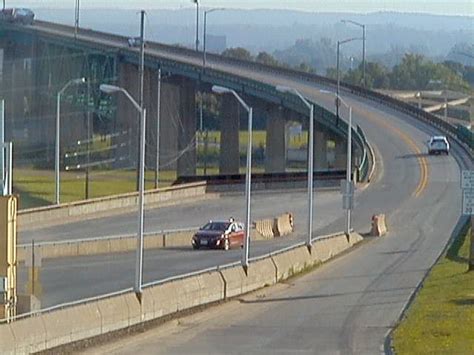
point(110, 89)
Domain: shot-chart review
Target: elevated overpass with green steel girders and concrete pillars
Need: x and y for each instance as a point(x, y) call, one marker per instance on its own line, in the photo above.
point(107, 58)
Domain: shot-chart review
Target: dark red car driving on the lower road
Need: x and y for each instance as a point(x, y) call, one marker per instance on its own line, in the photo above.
point(219, 235)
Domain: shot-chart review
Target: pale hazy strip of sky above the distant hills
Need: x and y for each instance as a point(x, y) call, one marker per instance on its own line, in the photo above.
point(445, 7)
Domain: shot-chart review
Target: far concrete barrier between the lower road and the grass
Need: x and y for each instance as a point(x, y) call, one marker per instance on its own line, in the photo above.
point(108, 205)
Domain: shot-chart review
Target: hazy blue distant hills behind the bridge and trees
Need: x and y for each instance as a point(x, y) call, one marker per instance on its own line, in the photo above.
point(271, 30)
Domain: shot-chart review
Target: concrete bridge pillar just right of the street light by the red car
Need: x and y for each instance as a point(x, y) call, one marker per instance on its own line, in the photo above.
point(275, 157)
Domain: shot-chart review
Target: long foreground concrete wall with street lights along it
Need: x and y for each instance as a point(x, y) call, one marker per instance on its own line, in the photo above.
point(62, 326)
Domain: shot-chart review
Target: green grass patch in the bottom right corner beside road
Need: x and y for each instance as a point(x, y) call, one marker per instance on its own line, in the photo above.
point(441, 318)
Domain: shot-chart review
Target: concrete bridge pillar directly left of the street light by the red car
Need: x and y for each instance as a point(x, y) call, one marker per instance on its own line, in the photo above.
point(229, 160)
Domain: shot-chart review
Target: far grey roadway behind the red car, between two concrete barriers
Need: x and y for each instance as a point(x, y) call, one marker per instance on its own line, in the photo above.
point(265, 204)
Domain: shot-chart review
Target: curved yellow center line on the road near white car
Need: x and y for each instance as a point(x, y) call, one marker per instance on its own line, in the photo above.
point(422, 162)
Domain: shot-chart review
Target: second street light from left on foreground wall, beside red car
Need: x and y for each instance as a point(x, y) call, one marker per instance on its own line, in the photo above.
point(248, 175)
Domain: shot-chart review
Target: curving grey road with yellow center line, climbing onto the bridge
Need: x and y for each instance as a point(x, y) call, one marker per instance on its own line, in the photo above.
point(348, 305)
